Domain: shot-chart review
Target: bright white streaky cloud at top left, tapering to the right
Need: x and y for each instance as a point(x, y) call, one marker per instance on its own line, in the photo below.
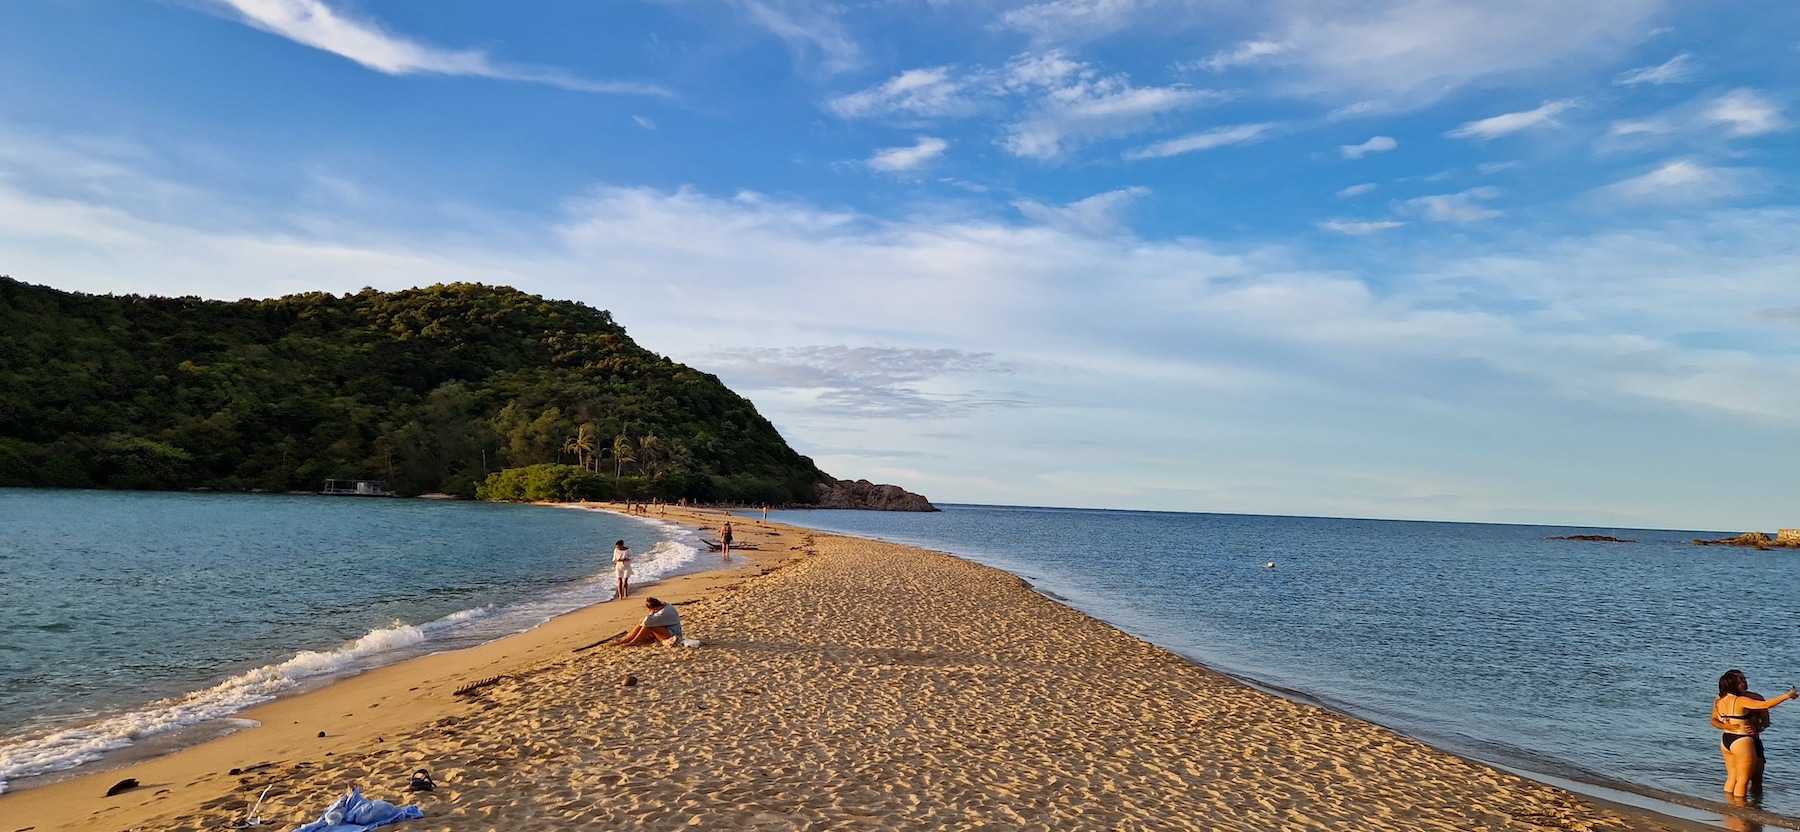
point(321, 26)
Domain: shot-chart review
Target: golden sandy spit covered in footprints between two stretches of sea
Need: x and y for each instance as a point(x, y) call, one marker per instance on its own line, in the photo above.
point(843, 683)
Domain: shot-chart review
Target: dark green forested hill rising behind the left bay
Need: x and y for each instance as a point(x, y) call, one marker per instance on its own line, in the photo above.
point(431, 390)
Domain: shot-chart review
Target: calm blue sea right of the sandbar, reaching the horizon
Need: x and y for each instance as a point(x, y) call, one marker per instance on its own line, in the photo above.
point(1579, 660)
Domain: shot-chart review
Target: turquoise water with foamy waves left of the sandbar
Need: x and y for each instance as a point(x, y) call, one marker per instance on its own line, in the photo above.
point(132, 617)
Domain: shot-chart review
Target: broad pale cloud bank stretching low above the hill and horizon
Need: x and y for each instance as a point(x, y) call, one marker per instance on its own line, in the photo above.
point(1313, 374)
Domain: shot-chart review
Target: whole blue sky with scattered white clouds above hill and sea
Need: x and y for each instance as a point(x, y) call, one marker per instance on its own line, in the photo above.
point(1522, 262)
